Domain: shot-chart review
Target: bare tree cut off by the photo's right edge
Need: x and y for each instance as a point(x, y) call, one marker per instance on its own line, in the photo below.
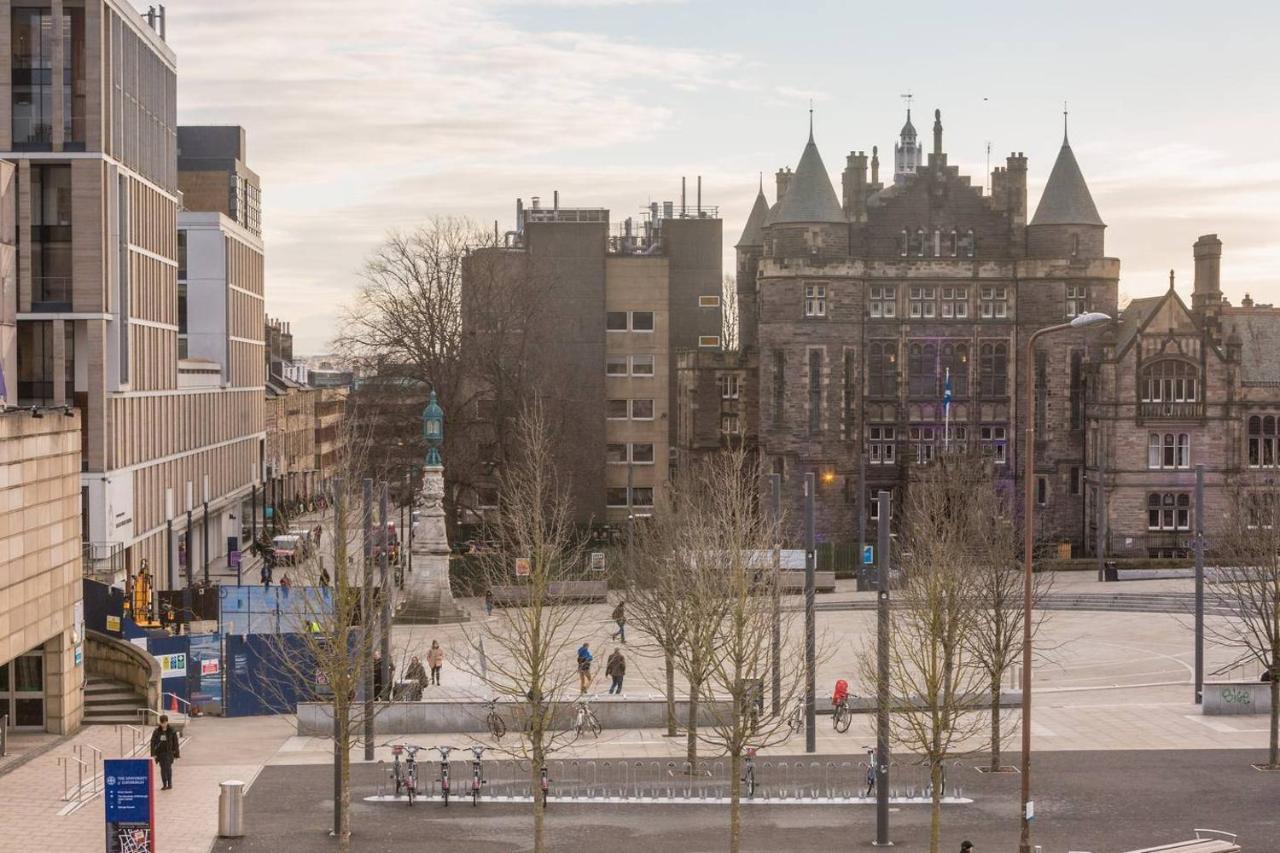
point(1247, 581)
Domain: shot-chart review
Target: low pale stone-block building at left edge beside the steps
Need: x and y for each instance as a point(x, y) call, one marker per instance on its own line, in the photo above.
point(40, 572)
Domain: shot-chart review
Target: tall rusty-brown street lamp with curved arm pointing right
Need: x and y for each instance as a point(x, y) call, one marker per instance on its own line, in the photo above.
point(1081, 322)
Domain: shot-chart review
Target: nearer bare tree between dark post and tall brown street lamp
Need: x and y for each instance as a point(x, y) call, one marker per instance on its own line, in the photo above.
point(935, 674)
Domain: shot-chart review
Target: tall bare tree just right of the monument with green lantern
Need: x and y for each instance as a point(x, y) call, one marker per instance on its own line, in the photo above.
point(528, 649)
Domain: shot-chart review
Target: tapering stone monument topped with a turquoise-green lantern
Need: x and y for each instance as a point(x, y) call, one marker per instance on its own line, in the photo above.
point(427, 599)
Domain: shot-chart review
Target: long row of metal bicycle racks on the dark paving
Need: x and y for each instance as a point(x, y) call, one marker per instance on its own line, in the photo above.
point(783, 779)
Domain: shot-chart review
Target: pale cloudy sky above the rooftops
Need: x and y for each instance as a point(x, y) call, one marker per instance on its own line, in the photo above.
point(368, 117)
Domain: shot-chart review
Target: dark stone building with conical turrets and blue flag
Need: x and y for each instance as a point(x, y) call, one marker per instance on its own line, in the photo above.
point(861, 308)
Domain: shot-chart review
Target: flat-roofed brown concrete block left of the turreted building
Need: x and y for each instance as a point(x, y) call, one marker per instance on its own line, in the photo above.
point(605, 337)
